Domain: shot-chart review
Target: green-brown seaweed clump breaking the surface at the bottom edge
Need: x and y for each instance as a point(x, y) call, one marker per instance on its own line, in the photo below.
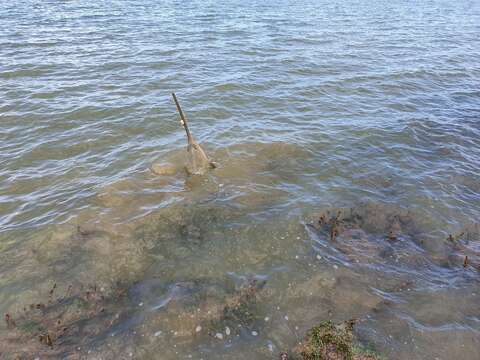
point(328, 341)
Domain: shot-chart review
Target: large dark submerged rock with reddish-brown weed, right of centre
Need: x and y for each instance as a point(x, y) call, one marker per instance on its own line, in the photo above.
point(373, 234)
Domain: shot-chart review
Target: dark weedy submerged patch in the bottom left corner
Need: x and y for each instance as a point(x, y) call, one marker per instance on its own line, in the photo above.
point(57, 327)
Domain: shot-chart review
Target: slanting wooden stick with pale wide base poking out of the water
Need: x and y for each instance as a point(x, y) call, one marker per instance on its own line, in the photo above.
point(197, 160)
